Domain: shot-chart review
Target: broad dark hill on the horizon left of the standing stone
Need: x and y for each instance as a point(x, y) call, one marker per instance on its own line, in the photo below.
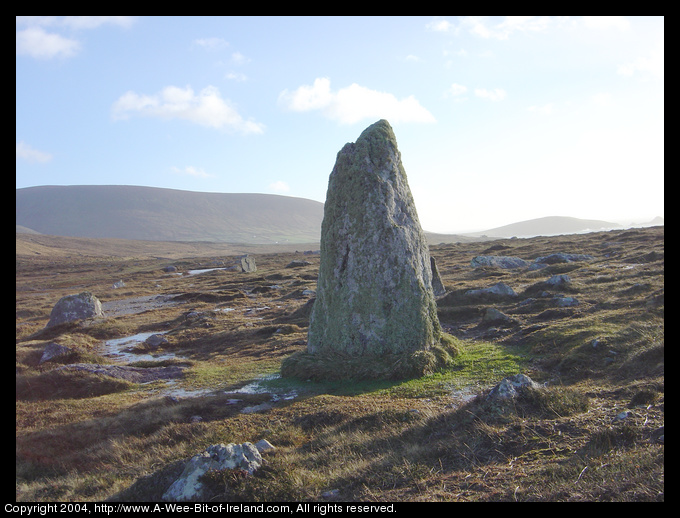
point(154, 214)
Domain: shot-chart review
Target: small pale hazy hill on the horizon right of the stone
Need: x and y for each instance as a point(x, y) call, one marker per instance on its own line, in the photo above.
point(549, 226)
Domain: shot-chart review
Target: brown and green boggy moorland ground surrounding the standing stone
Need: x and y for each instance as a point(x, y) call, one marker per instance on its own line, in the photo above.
point(594, 433)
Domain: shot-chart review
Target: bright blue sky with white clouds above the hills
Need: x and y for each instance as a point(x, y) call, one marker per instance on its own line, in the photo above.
point(498, 119)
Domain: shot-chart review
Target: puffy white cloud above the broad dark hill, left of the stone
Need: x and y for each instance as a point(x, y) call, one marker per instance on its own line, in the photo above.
point(207, 108)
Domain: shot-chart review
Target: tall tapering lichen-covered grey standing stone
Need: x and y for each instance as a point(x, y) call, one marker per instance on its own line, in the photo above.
point(375, 313)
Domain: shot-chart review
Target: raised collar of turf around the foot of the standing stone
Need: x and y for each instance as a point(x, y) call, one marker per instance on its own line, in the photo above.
point(333, 367)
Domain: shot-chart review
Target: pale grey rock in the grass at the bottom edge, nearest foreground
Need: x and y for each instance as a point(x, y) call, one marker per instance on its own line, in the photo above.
point(216, 457)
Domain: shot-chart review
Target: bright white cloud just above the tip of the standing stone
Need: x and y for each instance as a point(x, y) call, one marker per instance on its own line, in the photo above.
point(353, 103)
